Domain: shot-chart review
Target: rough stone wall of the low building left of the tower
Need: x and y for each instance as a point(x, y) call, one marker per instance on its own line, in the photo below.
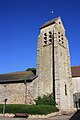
point(18, 93)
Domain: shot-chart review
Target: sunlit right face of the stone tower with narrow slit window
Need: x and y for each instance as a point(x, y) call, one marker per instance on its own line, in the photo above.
point(63, 80)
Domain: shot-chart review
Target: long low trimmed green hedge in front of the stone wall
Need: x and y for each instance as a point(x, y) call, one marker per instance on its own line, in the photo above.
point(29, 109)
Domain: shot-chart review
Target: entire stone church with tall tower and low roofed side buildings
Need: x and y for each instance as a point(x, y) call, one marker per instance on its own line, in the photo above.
point(54, 75)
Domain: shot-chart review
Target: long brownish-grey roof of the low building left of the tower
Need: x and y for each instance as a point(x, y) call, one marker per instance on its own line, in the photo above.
point(17, 77)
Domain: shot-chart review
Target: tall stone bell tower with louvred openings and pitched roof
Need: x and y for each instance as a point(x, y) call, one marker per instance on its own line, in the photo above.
point(53, 64)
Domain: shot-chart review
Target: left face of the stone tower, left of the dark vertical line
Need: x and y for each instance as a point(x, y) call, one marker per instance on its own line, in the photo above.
point(44, 64)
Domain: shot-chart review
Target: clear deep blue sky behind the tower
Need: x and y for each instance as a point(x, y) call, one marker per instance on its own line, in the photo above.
point(20, 21)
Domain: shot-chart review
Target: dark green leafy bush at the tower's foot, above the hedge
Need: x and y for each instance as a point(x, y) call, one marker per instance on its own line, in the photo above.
point(45, 100)
